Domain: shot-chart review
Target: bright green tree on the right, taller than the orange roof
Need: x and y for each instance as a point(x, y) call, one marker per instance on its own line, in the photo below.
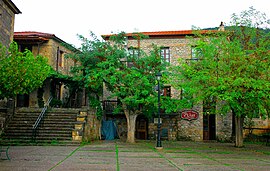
point(232, 68)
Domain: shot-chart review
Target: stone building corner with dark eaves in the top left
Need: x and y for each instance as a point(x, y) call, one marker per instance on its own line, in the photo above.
point(7, 17)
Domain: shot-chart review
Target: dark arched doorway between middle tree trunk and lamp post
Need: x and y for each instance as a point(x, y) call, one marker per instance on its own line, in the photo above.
point(141, 127)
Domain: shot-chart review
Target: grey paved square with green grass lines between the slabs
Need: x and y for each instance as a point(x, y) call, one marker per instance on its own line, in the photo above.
point(141, 156)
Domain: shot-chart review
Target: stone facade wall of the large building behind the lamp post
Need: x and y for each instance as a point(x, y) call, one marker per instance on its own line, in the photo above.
point(175, 127)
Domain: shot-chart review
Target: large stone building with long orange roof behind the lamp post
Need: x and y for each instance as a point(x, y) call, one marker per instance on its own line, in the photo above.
point(175, 45)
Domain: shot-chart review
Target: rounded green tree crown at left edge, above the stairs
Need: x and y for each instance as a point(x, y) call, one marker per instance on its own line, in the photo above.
point(21, 72)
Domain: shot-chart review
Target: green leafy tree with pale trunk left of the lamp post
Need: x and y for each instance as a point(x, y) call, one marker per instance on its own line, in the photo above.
point(107, 63)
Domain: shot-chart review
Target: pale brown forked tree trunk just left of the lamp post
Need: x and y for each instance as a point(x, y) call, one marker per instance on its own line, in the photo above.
point(131, 123)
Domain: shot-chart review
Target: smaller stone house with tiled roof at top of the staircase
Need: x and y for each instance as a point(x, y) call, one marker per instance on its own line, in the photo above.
point(55, 49)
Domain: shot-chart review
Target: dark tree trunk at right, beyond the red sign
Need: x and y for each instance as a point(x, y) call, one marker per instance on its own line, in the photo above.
point(239, 131)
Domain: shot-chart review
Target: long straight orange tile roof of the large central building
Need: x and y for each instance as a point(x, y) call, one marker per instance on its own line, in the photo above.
point(162, 33)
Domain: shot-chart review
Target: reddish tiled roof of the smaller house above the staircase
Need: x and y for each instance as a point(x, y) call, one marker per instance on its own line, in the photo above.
point(38, 37)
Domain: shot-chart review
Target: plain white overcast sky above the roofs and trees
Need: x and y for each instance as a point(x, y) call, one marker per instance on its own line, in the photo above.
point(68, 18)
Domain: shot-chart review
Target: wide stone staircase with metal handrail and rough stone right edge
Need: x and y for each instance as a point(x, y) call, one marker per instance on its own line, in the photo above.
point(59, 127)
